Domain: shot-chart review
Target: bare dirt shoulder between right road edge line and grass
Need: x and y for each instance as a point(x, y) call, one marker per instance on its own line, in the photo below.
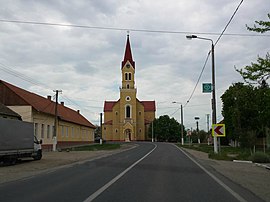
point(249, 175)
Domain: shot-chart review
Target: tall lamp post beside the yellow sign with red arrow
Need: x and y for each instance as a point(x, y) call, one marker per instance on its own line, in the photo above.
point(214, 113)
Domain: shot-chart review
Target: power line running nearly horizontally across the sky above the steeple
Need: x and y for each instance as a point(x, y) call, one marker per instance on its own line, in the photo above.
point(125, 29)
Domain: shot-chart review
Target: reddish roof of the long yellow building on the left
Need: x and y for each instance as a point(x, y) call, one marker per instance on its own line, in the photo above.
point(19, 96)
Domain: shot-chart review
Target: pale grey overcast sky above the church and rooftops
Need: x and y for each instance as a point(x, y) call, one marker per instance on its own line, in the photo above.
point(85, 62)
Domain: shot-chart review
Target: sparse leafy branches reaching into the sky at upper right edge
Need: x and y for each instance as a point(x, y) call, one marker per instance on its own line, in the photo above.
point(260, 71)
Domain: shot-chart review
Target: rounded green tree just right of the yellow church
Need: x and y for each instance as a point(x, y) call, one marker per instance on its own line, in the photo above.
point(166, 129)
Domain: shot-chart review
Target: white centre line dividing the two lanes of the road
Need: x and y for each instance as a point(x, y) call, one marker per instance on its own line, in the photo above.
point(106, 186)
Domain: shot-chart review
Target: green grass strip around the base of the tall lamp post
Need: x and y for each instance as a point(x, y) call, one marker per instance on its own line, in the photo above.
point(227, 152)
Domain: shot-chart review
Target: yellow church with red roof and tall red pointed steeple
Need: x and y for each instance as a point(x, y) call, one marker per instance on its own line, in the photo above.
point(128, 118)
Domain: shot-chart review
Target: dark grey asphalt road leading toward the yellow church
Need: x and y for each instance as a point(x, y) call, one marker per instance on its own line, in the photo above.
point(149, 172)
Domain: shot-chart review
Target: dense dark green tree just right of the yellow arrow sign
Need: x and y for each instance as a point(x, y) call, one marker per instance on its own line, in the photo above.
point(240, 112)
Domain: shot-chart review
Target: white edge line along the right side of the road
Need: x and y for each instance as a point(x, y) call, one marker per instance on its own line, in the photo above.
point(237, 196)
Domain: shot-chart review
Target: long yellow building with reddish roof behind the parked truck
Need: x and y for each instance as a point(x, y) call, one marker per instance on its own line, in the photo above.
point(72, 128)
